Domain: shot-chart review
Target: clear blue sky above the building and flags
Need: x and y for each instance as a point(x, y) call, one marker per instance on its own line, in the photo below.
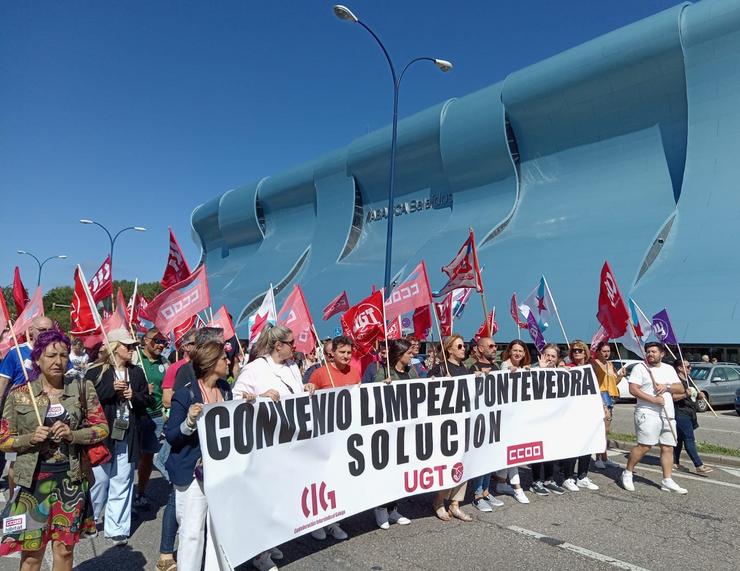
point(134, 112)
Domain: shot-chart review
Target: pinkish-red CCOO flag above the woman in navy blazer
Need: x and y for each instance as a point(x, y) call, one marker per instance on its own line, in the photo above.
point(180, 301)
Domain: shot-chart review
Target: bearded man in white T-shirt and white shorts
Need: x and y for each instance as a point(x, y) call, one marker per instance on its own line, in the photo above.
point(652, 384)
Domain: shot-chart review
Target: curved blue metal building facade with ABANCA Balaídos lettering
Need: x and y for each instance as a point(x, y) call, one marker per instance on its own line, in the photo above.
point(626, 148)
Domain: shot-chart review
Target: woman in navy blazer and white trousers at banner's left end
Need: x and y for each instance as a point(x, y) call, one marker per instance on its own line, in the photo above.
point(184, 464)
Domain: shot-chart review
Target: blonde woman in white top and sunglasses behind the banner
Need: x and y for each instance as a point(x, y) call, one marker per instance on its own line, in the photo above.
point(272, 373)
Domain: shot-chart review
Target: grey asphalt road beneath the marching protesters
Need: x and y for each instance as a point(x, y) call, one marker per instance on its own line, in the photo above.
point(647, 529)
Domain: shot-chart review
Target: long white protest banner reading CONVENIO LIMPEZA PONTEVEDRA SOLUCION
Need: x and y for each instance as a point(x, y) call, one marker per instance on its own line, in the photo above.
point(277, 470)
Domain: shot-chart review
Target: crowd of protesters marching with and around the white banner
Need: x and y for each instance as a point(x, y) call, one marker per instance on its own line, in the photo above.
point(79, 426)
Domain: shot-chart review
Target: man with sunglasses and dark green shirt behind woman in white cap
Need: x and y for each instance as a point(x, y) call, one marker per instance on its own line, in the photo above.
point(155, 367)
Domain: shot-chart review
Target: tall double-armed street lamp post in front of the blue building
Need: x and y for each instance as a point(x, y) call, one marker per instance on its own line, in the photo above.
point(344, 13)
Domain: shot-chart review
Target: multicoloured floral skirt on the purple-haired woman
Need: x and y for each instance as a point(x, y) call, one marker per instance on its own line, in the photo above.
point(55, 509)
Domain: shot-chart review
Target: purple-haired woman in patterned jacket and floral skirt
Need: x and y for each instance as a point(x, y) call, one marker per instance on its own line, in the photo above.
point(46, 424)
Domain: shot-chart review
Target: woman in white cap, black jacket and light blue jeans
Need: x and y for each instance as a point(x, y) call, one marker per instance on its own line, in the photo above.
point(124, 395)
